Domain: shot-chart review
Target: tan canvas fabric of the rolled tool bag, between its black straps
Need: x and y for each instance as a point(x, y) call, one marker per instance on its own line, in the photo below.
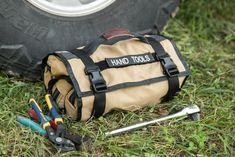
point(128, 95)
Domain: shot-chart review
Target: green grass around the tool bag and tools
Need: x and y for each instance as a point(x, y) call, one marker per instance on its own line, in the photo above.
point(205, 33)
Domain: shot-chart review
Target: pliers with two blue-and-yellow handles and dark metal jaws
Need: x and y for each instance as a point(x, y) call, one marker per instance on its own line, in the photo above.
point(64, 141)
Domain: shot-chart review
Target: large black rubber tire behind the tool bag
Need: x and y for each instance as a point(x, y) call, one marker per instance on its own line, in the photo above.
point(29, 34)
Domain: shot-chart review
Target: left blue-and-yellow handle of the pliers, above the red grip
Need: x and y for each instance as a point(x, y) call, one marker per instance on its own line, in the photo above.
point(44, 122)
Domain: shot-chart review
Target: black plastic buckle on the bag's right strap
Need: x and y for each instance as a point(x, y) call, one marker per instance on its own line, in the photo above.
point(169, 67)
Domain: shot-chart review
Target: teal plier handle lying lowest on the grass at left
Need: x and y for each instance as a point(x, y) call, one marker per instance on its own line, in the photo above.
point(35, 127)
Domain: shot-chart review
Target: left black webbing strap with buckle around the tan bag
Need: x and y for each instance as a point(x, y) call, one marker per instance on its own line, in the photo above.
point(97, 82)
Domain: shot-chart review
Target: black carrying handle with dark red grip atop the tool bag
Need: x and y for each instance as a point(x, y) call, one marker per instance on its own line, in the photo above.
point(115, 35)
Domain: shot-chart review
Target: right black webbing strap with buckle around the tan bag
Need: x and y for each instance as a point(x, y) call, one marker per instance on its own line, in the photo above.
point(169, 67)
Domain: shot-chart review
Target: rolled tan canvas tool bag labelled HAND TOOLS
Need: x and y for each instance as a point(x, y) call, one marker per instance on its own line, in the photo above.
point(118, 71)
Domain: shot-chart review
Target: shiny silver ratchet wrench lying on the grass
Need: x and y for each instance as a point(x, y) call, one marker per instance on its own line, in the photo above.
point(190, 111)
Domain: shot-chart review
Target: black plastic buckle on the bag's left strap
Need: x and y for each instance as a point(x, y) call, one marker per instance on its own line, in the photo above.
point(97, 81)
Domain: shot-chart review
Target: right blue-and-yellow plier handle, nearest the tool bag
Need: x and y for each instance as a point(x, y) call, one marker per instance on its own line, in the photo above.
point(52, 108)
